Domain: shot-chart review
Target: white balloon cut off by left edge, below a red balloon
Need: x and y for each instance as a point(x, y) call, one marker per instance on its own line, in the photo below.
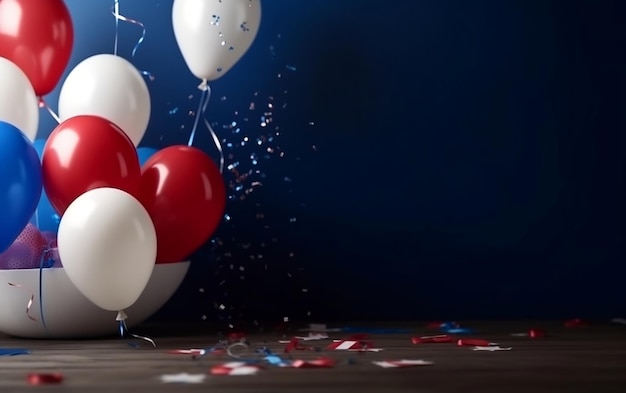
point(18, 102)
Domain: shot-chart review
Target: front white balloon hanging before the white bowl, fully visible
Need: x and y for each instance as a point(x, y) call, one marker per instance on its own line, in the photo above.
point(108, 246)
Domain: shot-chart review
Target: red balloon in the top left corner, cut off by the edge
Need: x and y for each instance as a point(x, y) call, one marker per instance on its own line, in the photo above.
point(38, 37)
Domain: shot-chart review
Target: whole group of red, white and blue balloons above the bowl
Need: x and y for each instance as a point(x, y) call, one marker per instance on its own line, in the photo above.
point(98, 206)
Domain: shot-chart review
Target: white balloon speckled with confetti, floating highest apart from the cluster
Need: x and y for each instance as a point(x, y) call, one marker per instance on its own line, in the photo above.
point(213, 35)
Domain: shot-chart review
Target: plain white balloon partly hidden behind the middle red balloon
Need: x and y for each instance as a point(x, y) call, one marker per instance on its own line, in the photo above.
point(111, 87)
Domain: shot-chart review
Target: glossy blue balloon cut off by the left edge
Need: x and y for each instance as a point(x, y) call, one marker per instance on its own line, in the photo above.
point(20, 182)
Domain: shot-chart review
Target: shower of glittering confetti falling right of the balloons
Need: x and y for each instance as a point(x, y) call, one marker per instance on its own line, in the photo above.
point(248, 251)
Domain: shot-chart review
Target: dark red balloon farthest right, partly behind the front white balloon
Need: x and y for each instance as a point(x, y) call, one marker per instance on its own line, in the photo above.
point(184, 193)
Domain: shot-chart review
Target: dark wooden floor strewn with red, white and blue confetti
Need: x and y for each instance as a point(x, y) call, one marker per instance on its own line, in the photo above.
point(591, 360)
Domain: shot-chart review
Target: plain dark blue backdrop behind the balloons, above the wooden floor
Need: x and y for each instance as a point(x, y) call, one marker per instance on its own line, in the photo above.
point(448, 158)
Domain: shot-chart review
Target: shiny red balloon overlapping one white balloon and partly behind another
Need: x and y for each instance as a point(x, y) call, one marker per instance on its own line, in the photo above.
point(87, 152)
